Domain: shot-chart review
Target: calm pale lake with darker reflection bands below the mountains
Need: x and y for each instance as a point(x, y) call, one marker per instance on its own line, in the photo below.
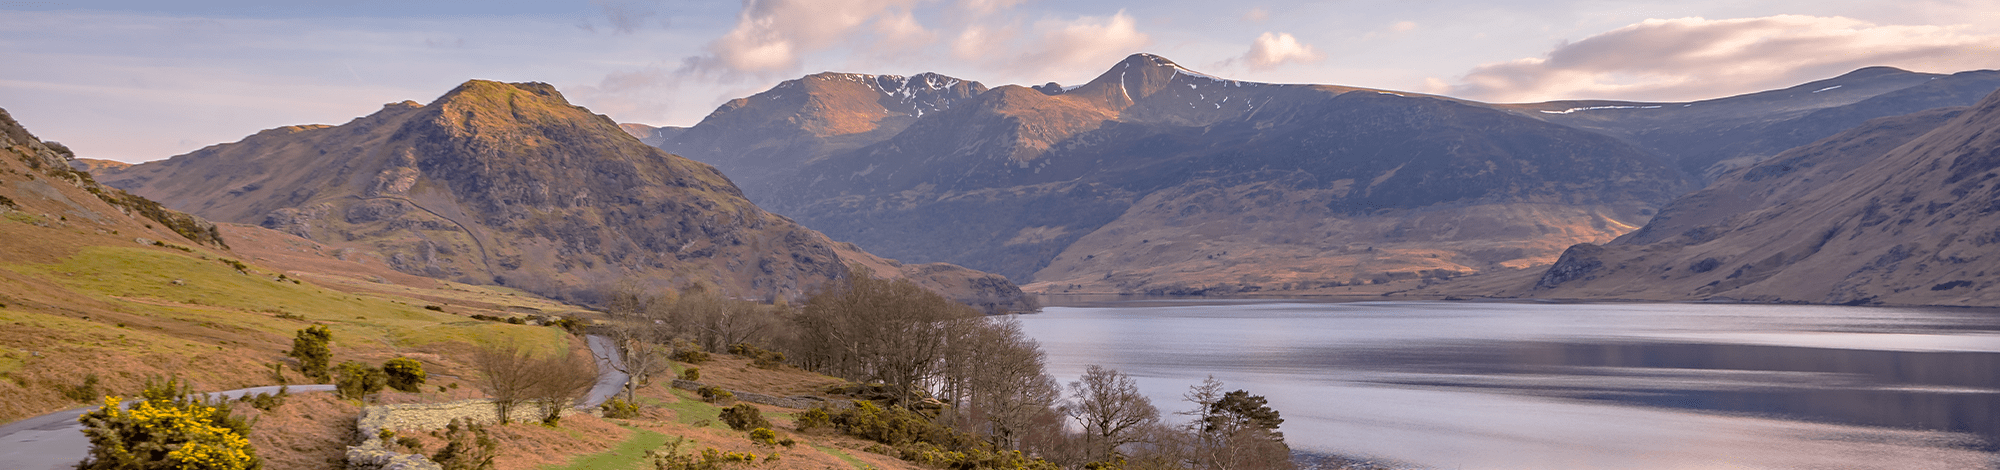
point(1473, 385)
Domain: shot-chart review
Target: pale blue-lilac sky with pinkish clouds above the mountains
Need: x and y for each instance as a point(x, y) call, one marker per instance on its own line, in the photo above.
point(141, 81)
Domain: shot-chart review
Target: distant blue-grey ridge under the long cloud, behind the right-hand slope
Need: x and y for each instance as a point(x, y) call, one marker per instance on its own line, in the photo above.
point(1713, 137)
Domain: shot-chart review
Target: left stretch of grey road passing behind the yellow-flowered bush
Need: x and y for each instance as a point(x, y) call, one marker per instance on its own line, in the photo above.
point(57, 441)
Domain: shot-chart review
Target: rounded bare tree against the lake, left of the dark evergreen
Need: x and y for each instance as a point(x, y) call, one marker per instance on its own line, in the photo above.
point(1111, 411)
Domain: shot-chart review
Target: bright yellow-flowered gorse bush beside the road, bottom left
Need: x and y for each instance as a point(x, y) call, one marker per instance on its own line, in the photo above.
point(171, 429)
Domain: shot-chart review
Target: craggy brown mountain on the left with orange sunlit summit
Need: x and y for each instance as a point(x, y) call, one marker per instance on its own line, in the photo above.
point(511, 185)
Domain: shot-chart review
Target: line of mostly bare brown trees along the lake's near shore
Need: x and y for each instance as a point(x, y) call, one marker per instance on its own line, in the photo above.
point(979, 383)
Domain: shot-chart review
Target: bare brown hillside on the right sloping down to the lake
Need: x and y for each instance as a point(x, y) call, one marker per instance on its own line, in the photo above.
point(1899, 211)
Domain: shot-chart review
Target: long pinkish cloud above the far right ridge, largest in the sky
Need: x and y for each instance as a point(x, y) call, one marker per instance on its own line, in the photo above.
point(1693, 59)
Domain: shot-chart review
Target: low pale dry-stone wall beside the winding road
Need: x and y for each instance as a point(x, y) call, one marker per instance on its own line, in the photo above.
point(373, 453)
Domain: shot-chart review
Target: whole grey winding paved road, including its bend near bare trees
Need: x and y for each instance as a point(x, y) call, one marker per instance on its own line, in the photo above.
point(57, 441)
